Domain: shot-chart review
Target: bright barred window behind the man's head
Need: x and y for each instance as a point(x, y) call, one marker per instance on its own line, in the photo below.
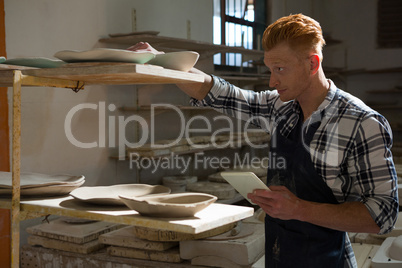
point(236, 24)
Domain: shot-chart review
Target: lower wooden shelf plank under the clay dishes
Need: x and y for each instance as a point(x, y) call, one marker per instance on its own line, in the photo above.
point(213, 216)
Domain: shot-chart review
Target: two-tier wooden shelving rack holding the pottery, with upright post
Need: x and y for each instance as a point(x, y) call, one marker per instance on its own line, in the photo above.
point(77, 76)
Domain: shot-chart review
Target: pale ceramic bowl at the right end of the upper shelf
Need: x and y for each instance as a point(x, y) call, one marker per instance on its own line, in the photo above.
point(181, 61)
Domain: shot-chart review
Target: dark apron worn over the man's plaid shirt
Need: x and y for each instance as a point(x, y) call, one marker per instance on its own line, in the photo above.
point(292, 243)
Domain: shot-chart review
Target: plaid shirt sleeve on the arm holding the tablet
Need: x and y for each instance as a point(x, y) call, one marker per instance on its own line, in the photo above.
point(372, 167)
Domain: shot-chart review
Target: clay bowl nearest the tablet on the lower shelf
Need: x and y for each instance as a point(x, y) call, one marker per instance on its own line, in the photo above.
point(178, 205)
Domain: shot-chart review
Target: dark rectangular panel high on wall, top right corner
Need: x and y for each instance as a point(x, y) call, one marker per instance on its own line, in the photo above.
point(389, 24)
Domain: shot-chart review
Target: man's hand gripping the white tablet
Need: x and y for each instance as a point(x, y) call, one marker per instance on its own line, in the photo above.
point(278, 203)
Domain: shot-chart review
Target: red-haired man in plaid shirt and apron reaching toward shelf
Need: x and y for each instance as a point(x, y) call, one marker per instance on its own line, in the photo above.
point(339, 175)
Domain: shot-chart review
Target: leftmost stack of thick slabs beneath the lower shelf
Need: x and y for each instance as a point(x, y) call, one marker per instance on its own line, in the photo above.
point(70, 234)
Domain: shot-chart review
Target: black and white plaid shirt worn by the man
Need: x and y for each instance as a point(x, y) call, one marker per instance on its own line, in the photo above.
point(350, 150)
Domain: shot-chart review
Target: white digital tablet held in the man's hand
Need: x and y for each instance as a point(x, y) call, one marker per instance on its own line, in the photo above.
point(244, 182)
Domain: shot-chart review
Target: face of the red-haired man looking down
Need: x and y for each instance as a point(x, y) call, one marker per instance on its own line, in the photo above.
point(290, 74)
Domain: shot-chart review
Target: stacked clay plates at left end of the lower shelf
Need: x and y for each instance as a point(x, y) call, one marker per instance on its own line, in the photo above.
point(33, 184)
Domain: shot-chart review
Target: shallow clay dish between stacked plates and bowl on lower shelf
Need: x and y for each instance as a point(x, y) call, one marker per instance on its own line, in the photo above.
point(109, 195)
